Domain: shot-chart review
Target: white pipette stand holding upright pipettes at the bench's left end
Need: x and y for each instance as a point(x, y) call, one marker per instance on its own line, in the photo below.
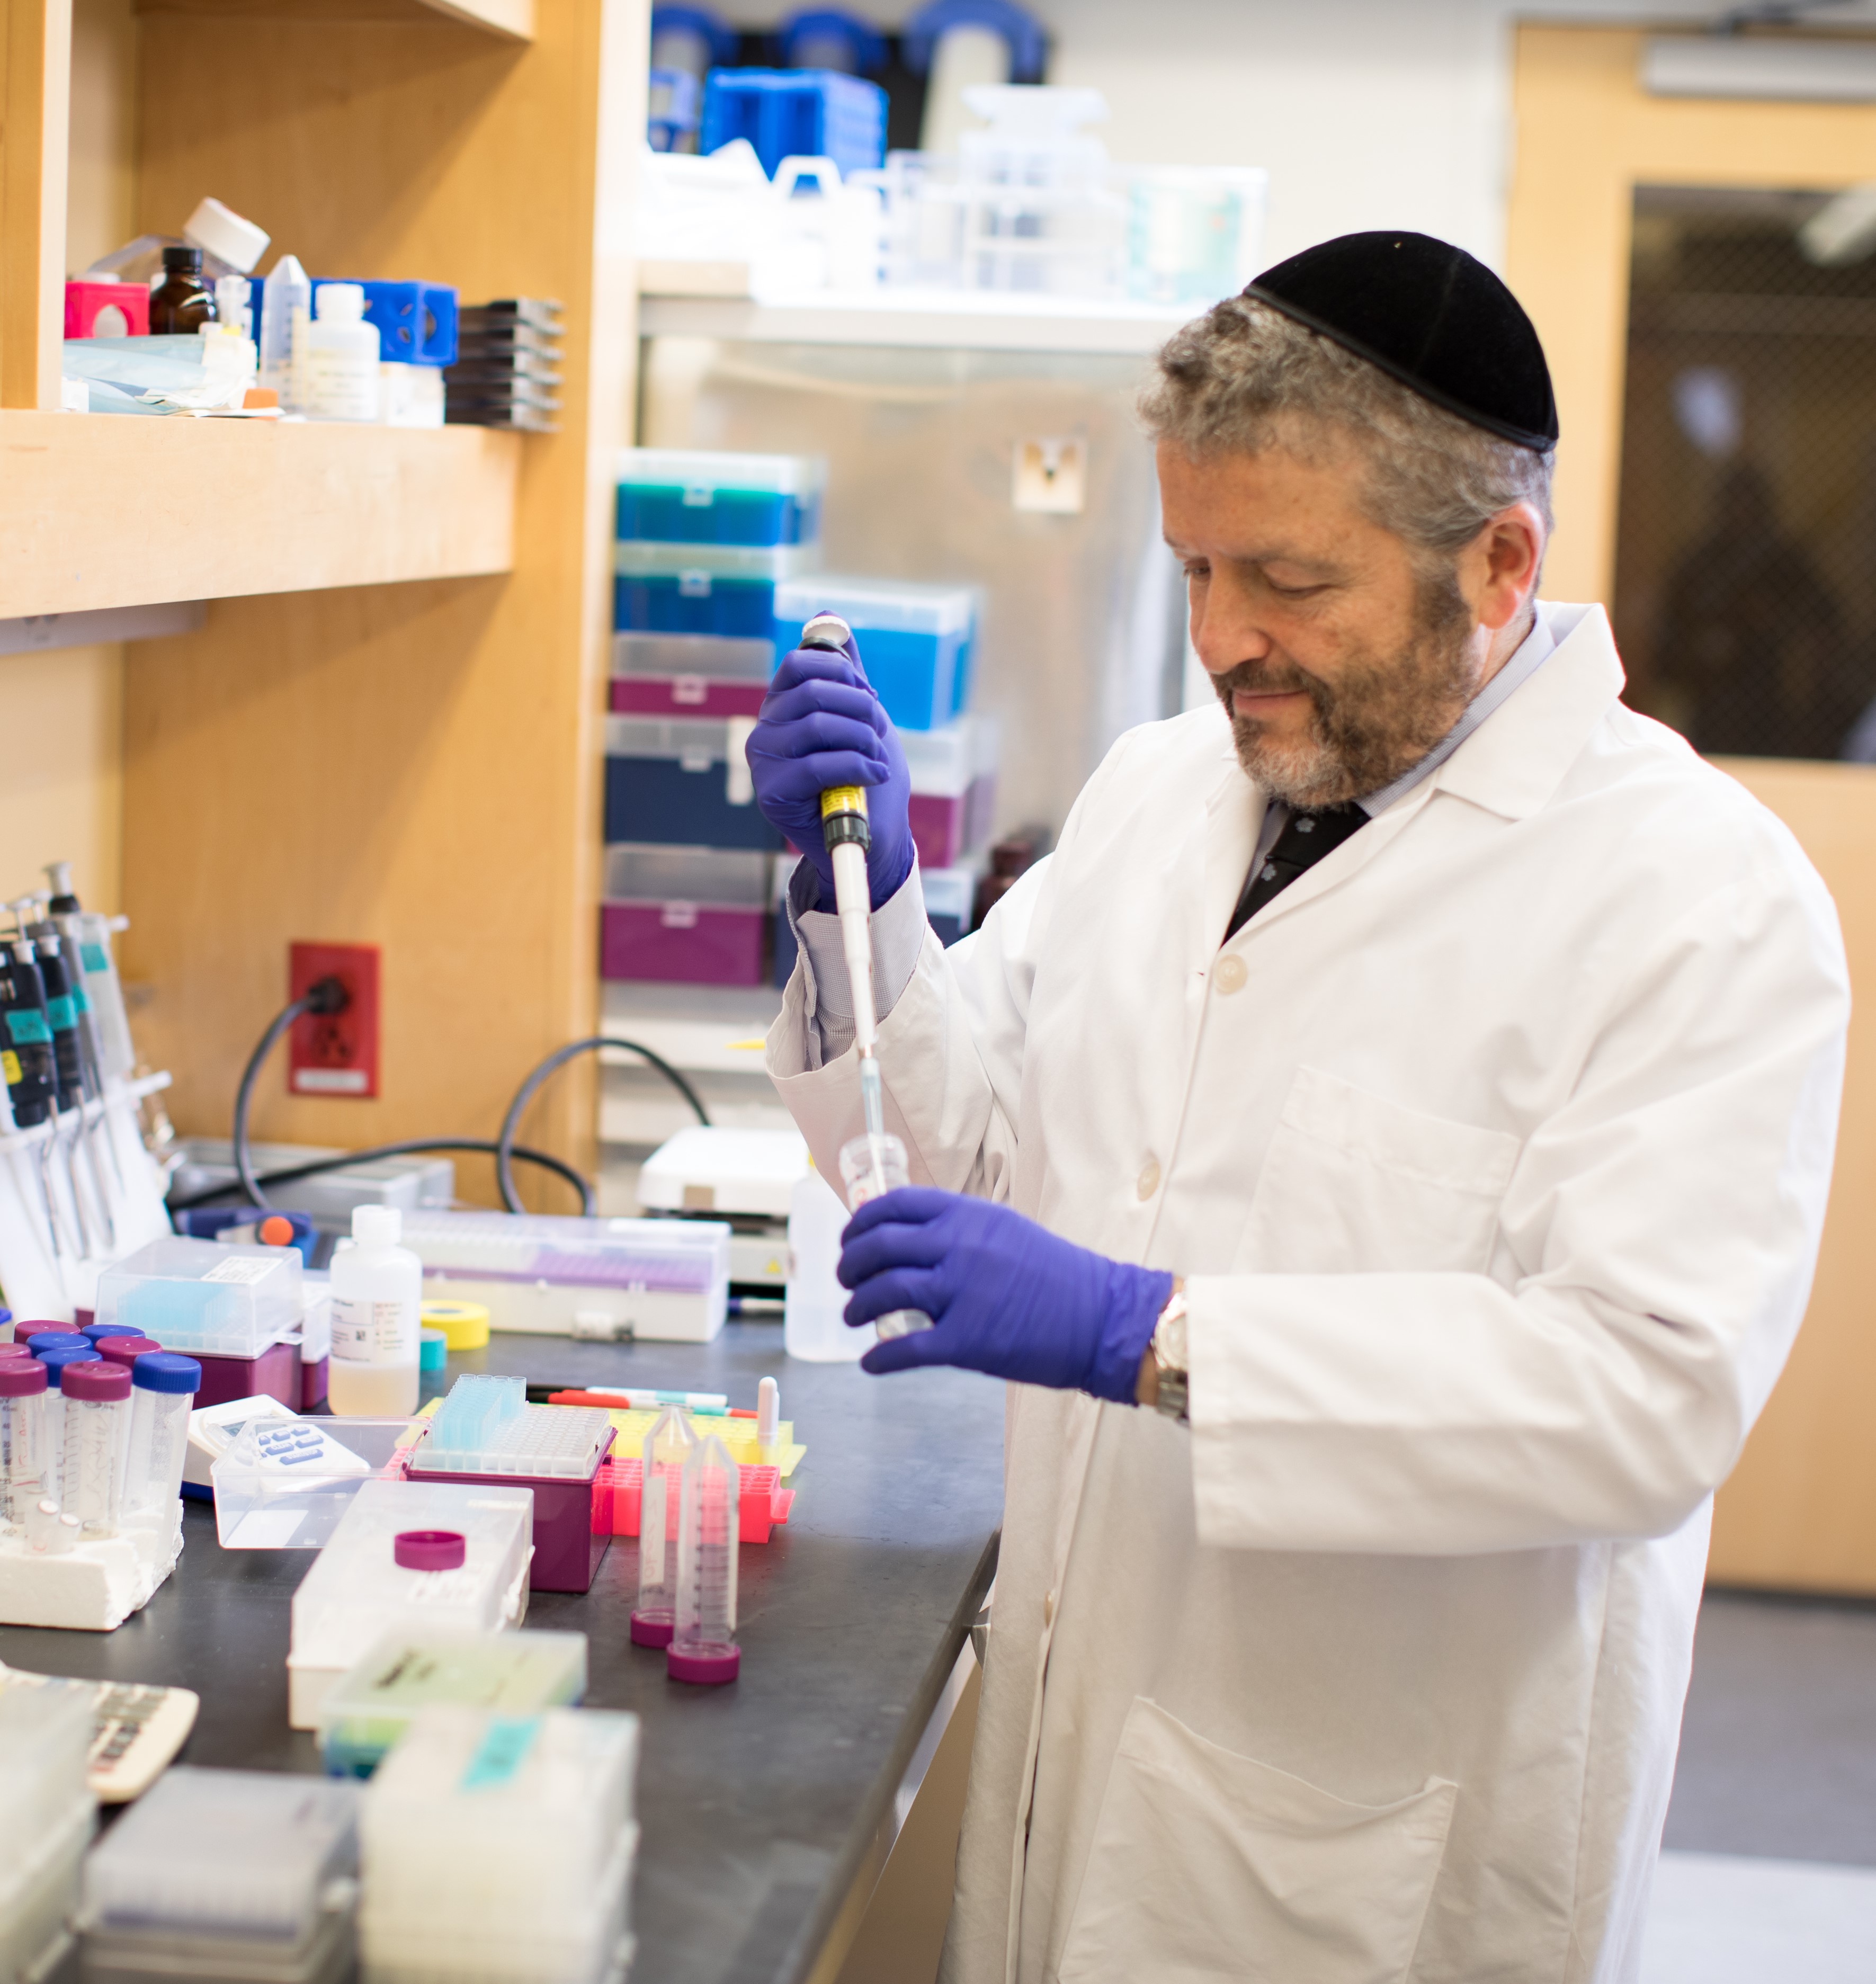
point(76, 1193)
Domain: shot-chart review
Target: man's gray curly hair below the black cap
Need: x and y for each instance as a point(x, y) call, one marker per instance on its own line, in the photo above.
point(1246, 378)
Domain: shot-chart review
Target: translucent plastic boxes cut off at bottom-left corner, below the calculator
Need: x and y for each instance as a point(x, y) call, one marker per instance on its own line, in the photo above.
point(47, 1820)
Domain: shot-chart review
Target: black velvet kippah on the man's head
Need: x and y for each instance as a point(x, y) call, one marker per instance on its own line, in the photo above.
point(1429, 316)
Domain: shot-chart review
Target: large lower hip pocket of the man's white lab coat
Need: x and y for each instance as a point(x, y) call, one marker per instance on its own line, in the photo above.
point(1209, 1868)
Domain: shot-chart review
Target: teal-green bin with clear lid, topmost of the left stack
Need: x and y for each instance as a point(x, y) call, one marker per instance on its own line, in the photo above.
point(717, 497)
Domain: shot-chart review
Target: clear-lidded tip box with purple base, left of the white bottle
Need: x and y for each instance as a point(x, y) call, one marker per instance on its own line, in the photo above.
point(235, 1310)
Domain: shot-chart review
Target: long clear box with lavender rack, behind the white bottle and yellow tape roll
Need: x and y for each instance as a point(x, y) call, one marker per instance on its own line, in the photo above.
point(665, 1281)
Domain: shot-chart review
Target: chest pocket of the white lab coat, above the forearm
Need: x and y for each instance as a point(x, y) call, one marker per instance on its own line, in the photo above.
point(1355, 1183)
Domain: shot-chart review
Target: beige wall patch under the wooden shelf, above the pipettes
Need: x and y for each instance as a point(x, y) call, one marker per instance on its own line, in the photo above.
point(62, 791)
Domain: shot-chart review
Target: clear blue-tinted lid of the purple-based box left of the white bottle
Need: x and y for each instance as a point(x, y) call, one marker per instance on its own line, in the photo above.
point(199, 1297)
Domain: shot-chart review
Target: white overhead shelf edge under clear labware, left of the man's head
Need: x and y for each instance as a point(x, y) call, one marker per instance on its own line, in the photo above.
point(943, 320)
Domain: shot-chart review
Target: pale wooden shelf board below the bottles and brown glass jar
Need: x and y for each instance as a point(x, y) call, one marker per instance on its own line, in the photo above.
point(112, 511)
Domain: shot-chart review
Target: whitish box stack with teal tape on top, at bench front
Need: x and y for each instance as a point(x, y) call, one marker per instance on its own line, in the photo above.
point(501, 1850)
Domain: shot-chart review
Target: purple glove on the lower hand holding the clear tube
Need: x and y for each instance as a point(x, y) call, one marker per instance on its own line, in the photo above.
point(1004, 1295)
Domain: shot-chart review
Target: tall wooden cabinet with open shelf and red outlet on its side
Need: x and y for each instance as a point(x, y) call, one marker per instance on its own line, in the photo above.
point(388, 727)
